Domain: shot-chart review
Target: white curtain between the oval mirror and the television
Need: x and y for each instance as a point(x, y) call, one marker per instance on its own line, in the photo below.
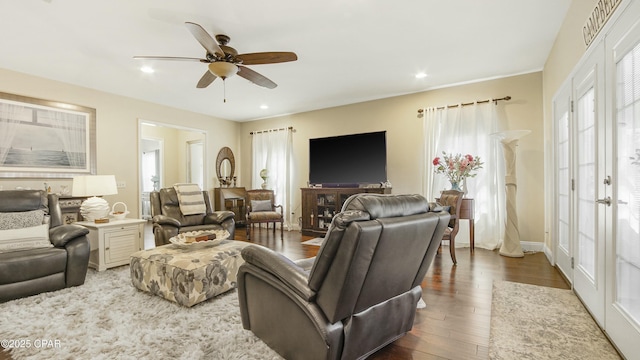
point(272, 150)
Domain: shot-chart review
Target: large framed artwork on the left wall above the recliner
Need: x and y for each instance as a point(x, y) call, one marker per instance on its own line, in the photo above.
point(45, 139)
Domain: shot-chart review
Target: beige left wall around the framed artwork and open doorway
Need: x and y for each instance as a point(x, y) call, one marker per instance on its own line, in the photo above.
point(117, 131)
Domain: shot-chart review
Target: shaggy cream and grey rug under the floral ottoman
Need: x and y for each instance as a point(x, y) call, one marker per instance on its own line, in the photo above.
point(107, 318)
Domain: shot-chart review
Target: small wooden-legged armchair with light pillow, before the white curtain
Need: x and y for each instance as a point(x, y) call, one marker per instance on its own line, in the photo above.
point(265, 212)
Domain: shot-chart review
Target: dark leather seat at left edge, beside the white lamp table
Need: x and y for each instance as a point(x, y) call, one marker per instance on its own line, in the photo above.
point(30, 272)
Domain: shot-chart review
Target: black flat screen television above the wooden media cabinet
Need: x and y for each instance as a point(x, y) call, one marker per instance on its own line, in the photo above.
point(348, 160)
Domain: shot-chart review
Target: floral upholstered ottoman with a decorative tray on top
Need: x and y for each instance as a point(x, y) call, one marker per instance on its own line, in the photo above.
point(187, 275)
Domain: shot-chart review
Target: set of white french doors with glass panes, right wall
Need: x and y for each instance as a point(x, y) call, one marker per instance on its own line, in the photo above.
point(597, 181)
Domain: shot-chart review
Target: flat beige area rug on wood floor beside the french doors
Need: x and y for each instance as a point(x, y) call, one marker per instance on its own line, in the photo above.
point(536, 322)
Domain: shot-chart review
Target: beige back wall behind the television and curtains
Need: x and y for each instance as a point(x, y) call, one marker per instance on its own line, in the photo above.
point(398, 116)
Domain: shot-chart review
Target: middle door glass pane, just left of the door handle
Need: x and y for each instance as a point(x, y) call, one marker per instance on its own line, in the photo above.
point(586, 184)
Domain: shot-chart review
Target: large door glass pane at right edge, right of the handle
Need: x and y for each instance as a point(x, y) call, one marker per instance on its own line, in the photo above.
point(628, 183)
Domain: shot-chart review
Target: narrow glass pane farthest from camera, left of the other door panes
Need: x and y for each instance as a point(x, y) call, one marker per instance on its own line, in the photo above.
point(564, 179)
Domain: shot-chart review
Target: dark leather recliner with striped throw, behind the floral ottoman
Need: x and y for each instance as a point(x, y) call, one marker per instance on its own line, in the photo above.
point(168, 220)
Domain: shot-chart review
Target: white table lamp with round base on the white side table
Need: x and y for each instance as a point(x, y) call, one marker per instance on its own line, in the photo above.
point(92, 186)
